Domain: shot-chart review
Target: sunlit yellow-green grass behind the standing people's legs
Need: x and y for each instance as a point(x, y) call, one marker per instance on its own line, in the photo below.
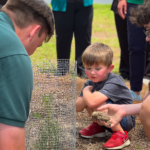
point(103, 30)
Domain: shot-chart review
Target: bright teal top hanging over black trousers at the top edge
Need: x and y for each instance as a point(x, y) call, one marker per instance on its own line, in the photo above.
point(60, 5)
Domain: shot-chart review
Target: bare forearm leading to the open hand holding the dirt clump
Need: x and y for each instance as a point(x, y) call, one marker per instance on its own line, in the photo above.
point(131, 109)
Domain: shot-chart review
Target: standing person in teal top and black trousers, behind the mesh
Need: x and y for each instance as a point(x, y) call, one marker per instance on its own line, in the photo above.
point(72, 17)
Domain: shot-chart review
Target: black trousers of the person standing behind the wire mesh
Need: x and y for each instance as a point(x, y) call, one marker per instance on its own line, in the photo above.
point(78, 20)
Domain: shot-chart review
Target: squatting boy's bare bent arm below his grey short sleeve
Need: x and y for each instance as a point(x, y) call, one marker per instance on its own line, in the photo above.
point(95, 99)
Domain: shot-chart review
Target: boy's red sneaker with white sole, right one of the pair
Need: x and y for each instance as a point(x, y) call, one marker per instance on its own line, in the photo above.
point(118, 140)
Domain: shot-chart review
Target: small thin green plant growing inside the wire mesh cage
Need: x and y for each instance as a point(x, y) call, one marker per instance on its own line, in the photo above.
point(49, 128)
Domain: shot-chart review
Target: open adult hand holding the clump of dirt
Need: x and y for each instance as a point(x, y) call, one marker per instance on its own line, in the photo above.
point(115, 112)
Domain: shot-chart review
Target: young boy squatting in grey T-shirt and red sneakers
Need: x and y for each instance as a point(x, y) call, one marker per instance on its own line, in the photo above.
point(104, 87)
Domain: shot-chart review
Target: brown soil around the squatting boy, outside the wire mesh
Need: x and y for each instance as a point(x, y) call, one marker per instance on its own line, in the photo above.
point(137, 136)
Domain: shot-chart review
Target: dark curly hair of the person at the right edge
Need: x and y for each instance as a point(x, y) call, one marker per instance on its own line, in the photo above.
point(141, 14)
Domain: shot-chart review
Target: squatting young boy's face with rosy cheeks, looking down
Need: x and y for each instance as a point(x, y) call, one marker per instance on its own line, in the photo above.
point(98, 73)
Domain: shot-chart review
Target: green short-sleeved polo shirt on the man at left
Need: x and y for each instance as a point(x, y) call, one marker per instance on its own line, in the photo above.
point(16, 77)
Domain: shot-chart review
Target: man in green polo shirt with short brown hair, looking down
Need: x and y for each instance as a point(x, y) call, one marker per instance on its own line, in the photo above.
point(24, 25)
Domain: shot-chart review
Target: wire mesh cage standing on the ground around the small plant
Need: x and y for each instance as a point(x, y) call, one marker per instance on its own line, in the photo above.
point(52, 120)
